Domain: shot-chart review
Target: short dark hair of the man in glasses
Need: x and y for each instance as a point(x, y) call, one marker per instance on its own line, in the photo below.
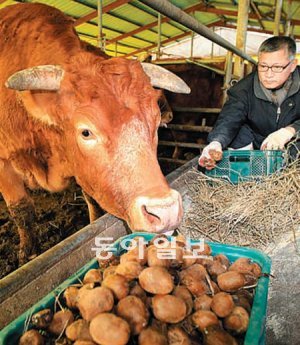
point(276, 43)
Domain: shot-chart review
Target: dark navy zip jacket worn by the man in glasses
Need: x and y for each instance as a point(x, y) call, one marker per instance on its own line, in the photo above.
point(247, 106)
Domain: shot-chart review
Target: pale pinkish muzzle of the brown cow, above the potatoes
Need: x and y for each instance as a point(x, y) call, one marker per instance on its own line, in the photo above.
point(156, 214)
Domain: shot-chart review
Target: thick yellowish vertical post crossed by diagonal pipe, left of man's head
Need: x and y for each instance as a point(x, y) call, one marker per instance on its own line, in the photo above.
point(241, 36)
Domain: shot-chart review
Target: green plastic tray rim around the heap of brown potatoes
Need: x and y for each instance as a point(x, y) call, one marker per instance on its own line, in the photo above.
point(256, 331)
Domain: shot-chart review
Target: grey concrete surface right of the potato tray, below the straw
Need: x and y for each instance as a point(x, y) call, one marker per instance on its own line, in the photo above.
point(283, 320)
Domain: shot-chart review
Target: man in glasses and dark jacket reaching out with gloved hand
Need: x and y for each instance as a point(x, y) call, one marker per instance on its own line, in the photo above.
point(262, 110)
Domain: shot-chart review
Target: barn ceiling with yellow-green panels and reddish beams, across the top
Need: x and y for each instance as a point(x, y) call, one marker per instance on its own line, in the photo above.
point(133, 28)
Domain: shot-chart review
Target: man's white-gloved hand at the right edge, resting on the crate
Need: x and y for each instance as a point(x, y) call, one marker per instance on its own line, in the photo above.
point(277, 140)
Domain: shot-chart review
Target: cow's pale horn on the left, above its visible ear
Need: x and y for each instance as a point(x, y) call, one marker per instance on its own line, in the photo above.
point(45, 77)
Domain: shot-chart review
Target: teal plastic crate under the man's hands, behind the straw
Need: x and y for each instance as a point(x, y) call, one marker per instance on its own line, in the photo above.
point(247, 165)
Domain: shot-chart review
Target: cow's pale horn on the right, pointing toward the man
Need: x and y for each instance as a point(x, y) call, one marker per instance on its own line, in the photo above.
point(164, 79)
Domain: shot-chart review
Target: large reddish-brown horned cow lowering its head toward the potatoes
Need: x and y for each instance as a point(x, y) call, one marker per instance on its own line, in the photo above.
point(66, 111)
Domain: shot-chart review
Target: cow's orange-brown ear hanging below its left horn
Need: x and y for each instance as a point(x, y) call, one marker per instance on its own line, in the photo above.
point(37, 106)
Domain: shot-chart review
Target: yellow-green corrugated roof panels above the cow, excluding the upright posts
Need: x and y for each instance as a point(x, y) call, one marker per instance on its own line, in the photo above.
point(133, 25)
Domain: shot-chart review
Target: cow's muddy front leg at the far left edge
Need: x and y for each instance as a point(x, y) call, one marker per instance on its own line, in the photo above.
point(21, 209)
